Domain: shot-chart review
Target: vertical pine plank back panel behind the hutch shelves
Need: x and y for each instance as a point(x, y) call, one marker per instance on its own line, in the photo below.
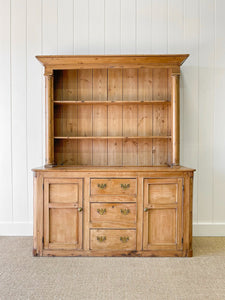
point(110, 119)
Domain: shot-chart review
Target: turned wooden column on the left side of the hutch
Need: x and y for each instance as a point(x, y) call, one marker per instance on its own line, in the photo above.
point(49, 124)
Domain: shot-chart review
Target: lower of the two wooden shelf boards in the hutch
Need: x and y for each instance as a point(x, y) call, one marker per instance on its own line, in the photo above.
point(109, 137)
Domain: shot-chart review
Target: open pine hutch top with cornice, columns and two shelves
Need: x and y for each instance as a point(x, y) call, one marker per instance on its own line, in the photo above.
point(112, 110)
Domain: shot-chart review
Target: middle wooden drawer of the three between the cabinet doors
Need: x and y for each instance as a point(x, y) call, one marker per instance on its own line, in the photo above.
point(119, 214)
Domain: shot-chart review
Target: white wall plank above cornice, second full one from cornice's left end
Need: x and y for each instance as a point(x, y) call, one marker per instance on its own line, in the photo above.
point(65, 27)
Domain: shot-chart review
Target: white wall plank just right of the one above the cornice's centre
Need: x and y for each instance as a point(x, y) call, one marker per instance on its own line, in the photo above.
point(128, 30)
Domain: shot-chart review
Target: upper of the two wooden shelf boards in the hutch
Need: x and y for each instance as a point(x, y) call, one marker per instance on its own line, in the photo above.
point(114, 102)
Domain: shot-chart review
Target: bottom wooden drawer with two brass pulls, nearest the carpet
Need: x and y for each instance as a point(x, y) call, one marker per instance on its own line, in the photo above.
point(112, 239)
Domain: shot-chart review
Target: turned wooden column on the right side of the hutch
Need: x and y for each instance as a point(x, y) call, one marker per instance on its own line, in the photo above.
point(175, 102)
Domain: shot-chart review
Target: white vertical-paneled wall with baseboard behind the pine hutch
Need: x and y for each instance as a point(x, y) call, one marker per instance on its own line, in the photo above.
point(34, 27)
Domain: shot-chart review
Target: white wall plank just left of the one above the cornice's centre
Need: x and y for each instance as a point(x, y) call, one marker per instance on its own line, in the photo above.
point(96, 27)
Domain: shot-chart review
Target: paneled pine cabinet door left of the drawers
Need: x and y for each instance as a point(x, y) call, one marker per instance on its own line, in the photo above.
point(62, 213)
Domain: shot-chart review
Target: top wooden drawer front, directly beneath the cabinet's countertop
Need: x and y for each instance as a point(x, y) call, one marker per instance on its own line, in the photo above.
point(112, 186)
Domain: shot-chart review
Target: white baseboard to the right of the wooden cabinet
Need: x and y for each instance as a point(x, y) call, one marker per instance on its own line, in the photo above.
point(209, 229)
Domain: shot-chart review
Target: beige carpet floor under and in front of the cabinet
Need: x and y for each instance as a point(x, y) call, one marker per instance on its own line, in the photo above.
point(25, 277)
